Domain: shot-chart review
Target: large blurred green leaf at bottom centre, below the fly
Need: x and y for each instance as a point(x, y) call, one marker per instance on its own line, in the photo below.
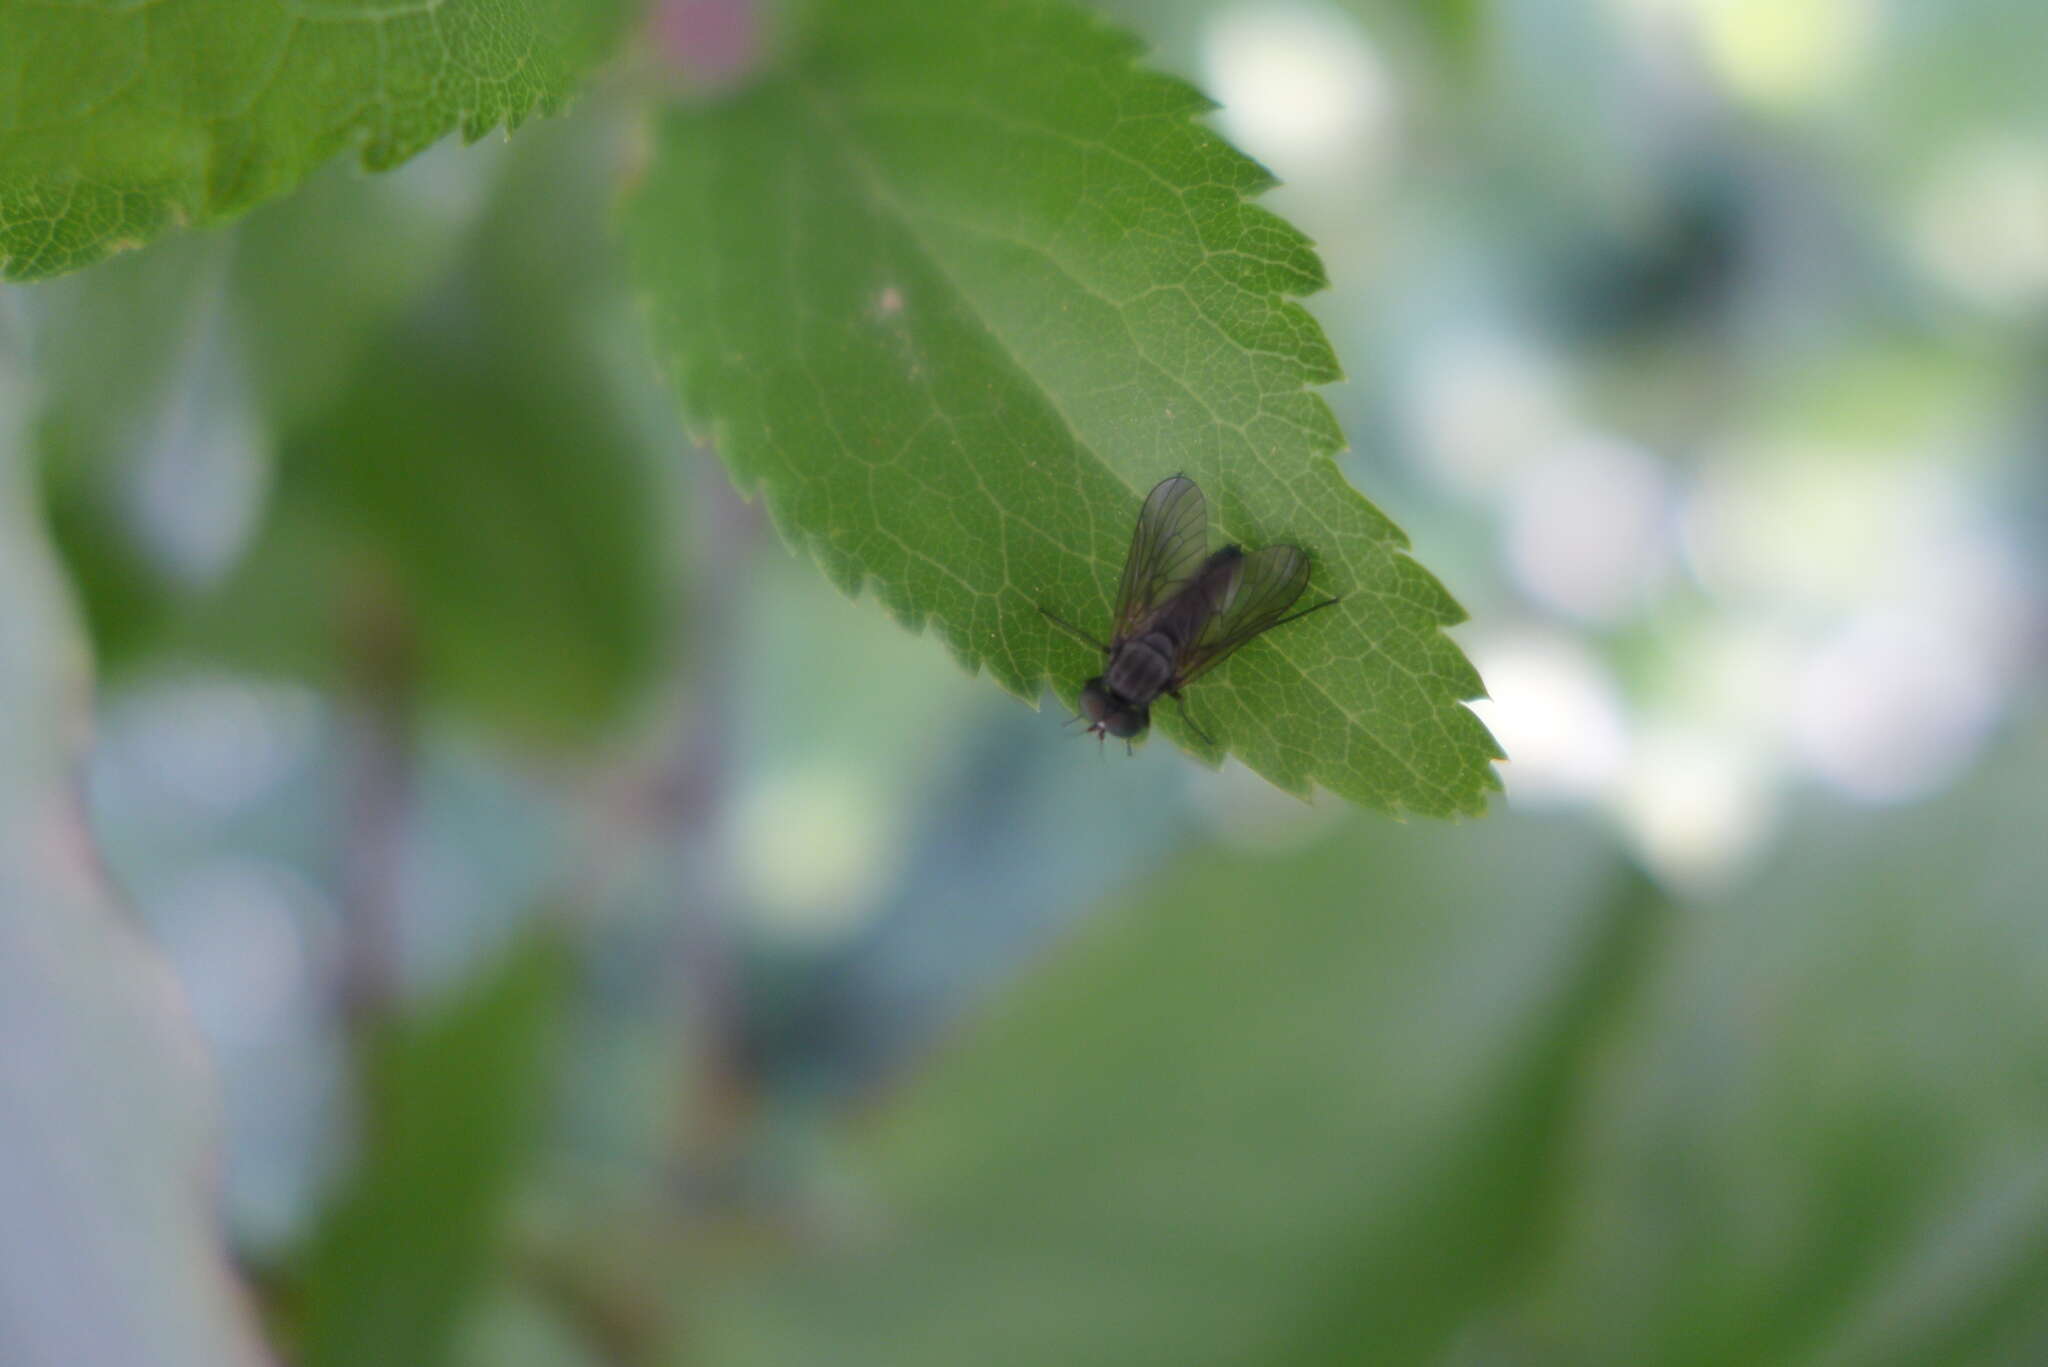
point(1242, 1126)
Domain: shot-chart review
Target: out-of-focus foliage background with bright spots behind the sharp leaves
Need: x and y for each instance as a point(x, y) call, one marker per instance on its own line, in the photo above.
point(620, 948)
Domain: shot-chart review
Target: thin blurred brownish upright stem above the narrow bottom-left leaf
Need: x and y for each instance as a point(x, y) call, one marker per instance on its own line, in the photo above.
point(378, 716)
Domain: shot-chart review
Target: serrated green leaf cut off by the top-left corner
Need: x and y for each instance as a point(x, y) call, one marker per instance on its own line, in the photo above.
point(120, 122)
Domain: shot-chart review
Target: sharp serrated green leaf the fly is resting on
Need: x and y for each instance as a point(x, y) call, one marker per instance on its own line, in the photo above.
point(957, 288)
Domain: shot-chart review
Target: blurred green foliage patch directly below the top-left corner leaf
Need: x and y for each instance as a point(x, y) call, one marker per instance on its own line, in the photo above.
point(454, 442)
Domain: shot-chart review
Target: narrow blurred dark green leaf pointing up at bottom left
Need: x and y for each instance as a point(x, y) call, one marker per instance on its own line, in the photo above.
point(452, 1112)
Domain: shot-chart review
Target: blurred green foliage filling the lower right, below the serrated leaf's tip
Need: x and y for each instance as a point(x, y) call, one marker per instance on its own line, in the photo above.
point(1482, 1097)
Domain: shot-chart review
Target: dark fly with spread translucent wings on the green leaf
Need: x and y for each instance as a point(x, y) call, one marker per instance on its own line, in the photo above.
point(1183, 610)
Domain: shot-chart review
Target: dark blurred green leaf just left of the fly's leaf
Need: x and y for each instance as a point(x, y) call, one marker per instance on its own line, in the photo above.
point(480, 470)
